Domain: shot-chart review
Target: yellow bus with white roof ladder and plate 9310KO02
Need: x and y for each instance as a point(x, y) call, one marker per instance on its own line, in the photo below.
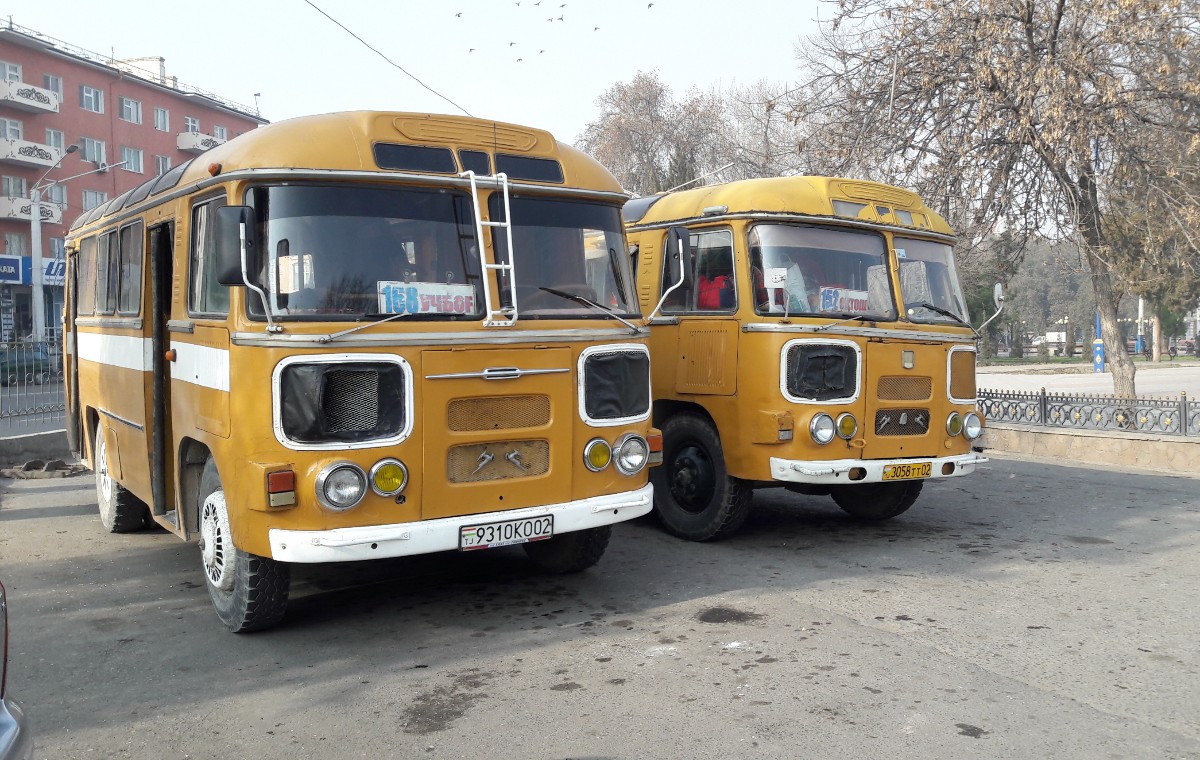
point(362, 336)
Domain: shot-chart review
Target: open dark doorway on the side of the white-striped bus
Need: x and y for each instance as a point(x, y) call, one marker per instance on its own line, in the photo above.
point(161, 262)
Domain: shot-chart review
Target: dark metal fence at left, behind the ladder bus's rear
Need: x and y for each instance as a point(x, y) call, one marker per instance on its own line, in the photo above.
point(32, 391)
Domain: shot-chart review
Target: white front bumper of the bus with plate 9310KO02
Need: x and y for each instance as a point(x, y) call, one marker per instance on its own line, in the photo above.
point(405, 540)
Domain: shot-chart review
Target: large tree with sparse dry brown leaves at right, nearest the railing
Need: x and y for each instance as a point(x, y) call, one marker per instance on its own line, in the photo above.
point(1013, 115)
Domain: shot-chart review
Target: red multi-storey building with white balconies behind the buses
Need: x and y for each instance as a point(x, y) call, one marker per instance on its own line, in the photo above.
point(55, 95)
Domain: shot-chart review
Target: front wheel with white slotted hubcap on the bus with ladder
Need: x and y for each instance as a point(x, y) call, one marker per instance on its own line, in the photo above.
point(249, 593)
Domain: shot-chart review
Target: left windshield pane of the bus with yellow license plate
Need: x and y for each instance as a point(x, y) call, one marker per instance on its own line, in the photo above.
point(820, 272)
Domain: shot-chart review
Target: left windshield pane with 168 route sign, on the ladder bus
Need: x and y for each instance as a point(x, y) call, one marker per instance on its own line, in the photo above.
point(344, 253)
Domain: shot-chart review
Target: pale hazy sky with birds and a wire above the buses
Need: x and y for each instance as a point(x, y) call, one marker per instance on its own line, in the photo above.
point(302, 63)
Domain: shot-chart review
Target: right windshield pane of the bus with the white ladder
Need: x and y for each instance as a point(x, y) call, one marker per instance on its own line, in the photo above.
point(571, 247)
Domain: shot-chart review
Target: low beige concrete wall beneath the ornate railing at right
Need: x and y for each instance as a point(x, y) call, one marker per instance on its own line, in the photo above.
point(1166, 454)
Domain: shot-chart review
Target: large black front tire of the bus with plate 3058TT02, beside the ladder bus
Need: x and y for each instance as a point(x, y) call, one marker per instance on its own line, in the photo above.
point(694, 495)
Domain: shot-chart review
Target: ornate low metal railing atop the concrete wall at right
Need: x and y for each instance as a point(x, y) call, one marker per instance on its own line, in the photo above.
point(1167, 416)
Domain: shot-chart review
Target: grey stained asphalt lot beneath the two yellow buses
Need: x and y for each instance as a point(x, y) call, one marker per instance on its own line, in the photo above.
point(1030, 611)
